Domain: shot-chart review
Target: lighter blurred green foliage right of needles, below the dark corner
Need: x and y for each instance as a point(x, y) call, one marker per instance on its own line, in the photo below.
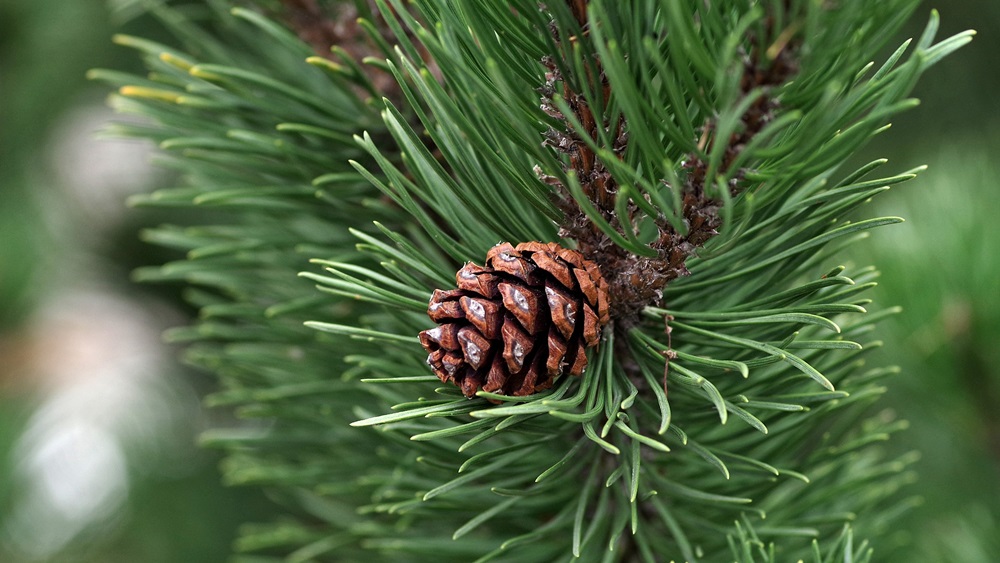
point(942, 267)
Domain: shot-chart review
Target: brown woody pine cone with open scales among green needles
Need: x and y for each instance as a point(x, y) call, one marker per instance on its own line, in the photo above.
point(513, 326)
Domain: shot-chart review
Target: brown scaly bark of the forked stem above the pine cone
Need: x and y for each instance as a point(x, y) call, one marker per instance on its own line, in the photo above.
point(635, 281)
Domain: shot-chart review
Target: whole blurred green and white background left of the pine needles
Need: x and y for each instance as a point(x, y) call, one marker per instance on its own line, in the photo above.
point(98, 421)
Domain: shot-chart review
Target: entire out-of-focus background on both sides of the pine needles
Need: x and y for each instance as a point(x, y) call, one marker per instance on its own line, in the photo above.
point(98, 421)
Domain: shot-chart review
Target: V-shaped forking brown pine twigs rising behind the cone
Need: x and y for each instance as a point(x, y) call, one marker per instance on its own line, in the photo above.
point(637, 281)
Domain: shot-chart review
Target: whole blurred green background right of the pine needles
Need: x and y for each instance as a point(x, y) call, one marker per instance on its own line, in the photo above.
point(942, 267)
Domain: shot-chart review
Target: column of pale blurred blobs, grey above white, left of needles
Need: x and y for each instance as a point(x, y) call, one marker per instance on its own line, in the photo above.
point(109, 410)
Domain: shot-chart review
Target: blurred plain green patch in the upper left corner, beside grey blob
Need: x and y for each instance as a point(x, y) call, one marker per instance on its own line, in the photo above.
point(45, 46)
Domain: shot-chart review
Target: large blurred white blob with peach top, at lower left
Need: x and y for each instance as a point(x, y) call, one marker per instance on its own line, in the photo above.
point(109, 400)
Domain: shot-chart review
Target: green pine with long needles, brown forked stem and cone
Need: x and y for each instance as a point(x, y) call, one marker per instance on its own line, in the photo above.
point(341, 163)
